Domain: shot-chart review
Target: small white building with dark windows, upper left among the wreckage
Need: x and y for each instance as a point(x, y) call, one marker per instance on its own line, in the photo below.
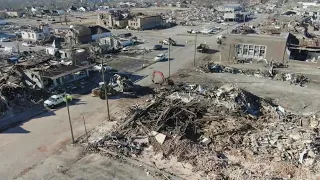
point(36, 34)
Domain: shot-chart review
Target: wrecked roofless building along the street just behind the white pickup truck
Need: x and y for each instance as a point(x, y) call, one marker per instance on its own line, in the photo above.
point(50, 72)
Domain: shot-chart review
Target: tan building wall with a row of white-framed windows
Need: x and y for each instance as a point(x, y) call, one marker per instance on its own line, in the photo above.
point(256, 47)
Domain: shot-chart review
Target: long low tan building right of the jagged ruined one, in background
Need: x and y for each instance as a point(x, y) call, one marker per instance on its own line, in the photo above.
point(145, 22)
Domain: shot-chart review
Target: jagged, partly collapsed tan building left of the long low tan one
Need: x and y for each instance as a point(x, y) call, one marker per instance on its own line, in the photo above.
point(108, 20)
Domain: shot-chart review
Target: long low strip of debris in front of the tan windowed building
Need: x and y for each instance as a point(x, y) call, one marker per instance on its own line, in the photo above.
point(296, 79)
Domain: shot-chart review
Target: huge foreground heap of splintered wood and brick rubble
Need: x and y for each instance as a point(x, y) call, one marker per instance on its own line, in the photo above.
point(217, 130)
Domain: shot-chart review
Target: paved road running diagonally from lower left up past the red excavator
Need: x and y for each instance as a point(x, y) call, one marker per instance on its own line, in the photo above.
point(24, 146)
